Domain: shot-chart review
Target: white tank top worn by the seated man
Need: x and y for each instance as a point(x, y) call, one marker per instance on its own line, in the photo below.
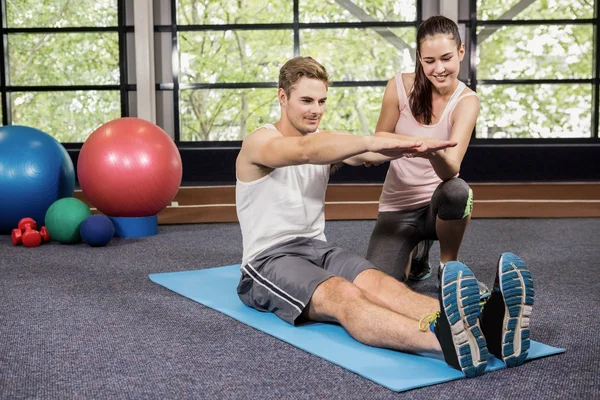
point(287, 203)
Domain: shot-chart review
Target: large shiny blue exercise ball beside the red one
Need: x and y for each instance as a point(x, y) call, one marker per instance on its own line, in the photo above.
point(35, 171)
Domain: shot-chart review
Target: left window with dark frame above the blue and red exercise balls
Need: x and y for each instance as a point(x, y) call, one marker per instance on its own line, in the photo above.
point(63, 65)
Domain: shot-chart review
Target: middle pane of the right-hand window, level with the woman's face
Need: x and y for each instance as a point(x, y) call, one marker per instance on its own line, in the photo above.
point(535, 52)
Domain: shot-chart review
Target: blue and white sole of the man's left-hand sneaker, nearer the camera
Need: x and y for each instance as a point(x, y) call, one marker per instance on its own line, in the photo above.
point(460, 298)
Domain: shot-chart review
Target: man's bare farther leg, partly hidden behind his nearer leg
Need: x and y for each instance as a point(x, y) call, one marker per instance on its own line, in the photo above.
point(389, 293)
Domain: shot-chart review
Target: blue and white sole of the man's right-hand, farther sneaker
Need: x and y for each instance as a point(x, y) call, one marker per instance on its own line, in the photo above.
point(517, 289)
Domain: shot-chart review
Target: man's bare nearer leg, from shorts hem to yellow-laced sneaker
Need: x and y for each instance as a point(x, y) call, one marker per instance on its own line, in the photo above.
point(338, 300)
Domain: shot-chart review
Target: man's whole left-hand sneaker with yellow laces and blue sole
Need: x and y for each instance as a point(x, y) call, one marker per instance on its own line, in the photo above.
point(457, 324)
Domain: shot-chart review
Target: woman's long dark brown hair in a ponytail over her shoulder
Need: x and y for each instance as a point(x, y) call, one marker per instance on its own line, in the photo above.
point(421, 94)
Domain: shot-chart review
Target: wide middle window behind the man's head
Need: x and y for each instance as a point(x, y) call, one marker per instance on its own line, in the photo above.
point(230, 54)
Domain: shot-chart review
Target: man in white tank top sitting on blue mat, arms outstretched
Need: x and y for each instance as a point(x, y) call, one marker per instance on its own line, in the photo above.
point(289, 269)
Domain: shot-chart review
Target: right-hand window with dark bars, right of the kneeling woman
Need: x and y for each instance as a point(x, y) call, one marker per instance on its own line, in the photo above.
point(535, 69)
